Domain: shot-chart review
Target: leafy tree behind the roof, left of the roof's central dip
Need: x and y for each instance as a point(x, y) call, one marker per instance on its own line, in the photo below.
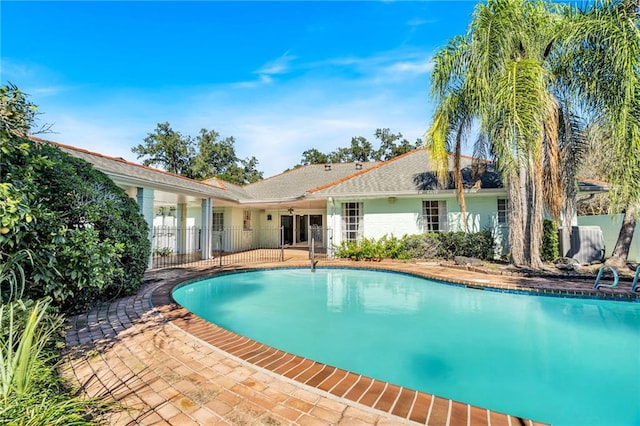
point(202, 157)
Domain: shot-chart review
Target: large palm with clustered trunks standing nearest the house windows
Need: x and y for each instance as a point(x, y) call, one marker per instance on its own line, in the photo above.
point(500, 76)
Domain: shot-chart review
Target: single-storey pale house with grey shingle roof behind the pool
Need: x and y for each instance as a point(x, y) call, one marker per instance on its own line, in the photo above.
point(320, 203)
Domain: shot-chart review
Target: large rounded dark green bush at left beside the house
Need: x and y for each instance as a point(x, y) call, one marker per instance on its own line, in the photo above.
point(86, 237)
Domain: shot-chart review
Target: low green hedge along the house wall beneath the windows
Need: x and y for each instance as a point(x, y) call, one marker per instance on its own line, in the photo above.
point(443, 245)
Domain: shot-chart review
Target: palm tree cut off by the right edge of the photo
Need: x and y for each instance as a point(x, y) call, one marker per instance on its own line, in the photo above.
point(607, 39)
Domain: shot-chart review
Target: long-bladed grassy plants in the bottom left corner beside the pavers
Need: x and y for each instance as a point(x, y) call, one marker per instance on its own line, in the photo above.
point(31, 393)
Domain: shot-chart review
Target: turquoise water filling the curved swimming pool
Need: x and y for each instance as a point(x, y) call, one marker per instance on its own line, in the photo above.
point(558, 360)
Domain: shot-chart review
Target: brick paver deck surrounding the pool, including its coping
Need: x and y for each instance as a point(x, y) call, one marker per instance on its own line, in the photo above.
point(161, 365)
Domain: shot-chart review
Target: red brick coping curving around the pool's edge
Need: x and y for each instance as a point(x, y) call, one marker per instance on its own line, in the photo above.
point(405, 403)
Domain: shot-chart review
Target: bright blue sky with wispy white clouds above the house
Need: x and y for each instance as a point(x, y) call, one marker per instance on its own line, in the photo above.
point(280, 77)
